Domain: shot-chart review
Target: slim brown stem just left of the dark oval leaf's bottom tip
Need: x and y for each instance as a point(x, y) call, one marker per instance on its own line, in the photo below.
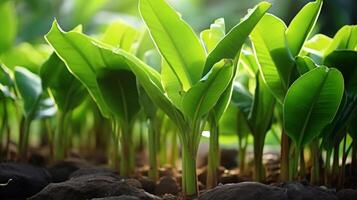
point(284, 162)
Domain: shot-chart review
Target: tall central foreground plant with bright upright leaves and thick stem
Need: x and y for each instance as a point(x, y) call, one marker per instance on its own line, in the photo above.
point(195, 85)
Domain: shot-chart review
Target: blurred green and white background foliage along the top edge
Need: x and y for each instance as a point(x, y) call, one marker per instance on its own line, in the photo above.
point(30, 19)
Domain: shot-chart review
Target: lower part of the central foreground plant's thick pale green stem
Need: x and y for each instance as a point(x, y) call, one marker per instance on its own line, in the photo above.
point(189, 176)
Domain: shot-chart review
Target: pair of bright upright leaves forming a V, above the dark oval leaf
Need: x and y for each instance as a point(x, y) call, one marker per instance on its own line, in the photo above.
point(276, 46)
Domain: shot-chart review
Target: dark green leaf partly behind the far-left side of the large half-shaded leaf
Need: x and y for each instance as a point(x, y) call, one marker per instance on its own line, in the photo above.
point(65, 89)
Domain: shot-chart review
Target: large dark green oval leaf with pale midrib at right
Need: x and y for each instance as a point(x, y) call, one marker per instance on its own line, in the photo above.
point(311, 103)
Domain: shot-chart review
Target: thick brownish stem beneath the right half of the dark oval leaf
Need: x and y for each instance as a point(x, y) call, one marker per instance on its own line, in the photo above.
point(315, 170)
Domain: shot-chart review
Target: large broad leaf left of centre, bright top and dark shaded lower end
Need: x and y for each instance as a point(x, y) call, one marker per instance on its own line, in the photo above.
point(106, 76)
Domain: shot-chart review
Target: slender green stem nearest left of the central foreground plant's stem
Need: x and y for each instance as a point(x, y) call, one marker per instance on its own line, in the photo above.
point(152, 137)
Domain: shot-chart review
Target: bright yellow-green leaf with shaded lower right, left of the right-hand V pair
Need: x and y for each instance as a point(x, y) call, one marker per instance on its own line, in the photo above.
point(275, 62)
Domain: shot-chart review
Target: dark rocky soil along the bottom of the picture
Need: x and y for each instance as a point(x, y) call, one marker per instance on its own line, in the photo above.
point(77, 179)
